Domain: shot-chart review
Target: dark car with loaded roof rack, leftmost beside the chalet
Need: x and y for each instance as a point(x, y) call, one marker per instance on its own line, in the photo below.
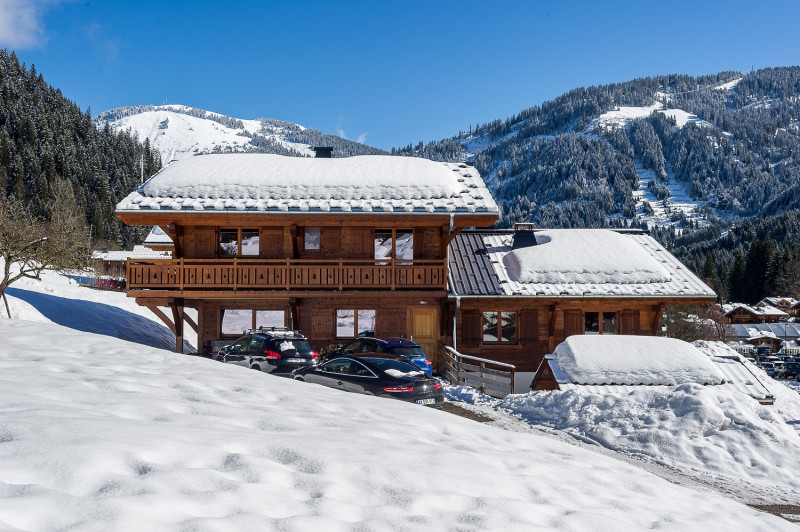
point(271, 350)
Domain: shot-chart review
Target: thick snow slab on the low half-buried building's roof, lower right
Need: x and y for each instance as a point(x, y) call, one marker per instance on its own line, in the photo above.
point(633, 360)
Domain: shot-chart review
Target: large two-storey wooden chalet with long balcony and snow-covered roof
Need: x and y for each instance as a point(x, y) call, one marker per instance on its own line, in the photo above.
point(333, 247)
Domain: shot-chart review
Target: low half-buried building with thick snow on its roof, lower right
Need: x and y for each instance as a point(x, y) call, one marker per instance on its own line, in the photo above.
point(618, 365)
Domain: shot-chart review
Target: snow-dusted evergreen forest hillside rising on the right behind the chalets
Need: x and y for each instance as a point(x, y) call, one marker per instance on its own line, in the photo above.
point(554, 166)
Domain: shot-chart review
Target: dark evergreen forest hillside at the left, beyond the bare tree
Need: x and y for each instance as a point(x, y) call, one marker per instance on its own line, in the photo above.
point(44, 137)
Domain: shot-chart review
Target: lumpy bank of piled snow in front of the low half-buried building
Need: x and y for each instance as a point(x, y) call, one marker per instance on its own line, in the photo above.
point(715, 434)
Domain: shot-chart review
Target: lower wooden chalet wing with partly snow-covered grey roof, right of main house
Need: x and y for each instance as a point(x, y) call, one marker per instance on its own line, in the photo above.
point(516, 294)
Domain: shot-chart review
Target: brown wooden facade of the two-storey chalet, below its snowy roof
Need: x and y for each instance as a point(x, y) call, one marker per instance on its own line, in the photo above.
point(308, 286)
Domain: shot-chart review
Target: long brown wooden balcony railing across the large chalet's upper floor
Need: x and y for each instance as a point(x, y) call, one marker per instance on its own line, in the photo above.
point(234, 274)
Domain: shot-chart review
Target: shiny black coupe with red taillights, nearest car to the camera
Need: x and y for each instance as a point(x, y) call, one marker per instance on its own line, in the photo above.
point(375, 374)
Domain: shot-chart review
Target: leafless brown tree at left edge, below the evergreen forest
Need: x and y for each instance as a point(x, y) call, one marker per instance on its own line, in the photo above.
point(30, 245)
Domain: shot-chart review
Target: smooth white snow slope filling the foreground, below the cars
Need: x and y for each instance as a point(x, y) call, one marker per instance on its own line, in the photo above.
point(108, 435)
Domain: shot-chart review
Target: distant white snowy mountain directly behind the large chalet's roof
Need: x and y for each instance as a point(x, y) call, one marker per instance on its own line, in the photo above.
point(178, 131)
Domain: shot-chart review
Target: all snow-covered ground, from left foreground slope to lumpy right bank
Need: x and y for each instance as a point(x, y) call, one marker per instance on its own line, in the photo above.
point(98, 433)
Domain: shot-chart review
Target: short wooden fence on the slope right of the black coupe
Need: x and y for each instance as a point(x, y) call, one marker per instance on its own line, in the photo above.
point(489, 376)
